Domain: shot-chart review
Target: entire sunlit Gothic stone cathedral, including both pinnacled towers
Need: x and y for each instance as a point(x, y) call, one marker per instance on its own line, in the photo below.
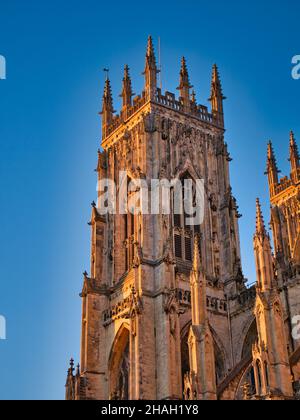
point(166, 313)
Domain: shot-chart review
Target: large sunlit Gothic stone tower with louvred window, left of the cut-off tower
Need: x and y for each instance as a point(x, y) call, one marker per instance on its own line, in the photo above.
point(158, 289)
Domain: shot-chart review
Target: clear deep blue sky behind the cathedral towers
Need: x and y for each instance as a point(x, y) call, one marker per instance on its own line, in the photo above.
point(50, 132)
